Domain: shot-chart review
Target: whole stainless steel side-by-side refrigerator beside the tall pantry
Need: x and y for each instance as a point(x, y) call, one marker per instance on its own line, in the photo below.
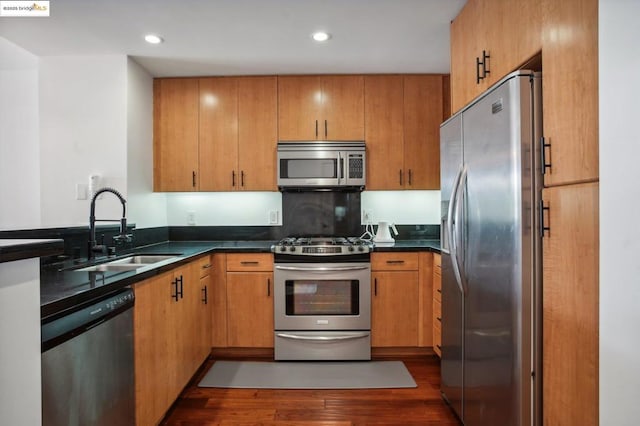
point(491, 260)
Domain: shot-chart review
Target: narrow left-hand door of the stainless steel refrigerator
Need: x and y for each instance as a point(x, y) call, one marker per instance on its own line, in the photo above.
point(452, 297)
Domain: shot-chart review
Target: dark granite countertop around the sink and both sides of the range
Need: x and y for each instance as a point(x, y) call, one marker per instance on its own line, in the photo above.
point(62, 288)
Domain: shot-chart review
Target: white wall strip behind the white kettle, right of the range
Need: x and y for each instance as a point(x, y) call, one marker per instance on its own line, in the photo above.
point(403, 207)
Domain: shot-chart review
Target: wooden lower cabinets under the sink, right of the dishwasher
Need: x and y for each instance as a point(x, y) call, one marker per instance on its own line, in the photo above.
point(168, 346)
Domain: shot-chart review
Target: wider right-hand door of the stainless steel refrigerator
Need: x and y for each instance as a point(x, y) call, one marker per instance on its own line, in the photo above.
point(496, 214)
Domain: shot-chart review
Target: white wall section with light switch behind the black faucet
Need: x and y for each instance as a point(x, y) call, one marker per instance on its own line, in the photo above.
point(83, 131)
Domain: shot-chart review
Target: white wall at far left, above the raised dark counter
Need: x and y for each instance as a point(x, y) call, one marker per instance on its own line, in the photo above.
point(19, 146)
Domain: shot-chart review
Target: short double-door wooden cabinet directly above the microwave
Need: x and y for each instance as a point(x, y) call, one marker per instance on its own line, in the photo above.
point(321, 108)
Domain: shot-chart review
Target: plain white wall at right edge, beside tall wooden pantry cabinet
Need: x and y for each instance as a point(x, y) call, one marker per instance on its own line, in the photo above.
point(619, 34)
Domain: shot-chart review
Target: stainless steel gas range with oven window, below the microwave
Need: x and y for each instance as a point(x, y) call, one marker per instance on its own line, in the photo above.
point(322, 299)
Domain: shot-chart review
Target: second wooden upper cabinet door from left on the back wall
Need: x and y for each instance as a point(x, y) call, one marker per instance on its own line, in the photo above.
point(218, 149)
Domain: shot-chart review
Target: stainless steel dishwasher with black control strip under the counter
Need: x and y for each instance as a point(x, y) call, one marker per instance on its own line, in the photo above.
point(87, 364)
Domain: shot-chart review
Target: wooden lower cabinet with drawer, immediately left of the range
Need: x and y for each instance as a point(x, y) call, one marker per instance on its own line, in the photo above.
point(250, 300)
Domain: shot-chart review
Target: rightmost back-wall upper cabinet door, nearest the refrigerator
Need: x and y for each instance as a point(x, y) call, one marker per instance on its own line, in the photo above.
point(422, 117)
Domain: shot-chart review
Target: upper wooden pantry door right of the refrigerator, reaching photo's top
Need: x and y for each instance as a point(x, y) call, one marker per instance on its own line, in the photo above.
point(570, 90)
